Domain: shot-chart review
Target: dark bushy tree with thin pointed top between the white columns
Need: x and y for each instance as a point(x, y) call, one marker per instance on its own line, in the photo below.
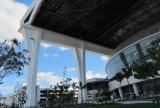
point(60, 95)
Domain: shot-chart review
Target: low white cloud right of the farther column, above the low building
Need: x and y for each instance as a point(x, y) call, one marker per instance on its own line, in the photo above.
point(89, 75)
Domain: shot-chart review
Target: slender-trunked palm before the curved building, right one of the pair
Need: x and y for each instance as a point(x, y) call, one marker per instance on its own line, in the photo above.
point(127, 74)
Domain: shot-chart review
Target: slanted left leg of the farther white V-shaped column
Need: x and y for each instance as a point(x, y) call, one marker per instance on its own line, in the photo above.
point(78, 63)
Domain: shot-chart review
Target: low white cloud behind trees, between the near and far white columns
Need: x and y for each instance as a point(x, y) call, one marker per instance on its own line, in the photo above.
point(50, 78)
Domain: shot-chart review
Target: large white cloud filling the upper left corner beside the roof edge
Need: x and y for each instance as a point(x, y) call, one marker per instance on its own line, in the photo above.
point(11, 14)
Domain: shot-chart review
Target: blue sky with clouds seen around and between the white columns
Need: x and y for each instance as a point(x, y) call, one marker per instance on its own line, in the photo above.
point(52, 59)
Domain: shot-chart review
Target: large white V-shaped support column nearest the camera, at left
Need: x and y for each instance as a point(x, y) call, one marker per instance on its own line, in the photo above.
point(32, 54)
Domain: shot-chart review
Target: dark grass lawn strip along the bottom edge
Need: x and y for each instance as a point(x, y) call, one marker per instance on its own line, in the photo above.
point(140, 105)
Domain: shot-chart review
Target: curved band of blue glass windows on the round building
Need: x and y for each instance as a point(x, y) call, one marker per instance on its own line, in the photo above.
point(134, 54)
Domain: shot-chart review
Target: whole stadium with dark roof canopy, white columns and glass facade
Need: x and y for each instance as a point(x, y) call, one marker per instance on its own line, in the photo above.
point(119, 29)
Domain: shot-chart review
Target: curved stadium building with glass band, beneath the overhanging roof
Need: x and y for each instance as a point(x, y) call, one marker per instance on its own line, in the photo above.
point(130, 52)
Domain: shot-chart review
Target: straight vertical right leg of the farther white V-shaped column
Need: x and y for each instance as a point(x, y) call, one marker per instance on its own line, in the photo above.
point(83, 63)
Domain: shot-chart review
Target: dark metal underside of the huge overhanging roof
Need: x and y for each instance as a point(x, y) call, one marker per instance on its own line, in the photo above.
point(104, 22)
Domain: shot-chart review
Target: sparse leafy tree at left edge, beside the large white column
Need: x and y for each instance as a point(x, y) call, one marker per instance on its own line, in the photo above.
point(12, 59)
